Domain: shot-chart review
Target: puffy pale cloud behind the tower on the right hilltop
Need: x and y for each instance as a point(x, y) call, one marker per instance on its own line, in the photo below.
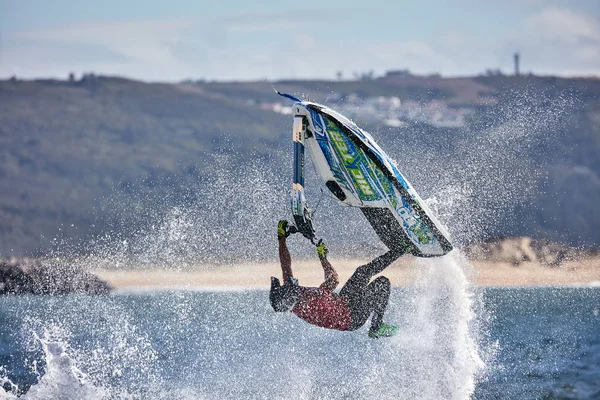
point(551, 40)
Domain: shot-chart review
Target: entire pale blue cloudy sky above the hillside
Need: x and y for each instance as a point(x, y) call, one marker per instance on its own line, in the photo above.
point(233, 40)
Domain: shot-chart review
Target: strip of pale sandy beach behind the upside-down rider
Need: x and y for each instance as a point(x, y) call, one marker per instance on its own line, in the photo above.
point(401, 273)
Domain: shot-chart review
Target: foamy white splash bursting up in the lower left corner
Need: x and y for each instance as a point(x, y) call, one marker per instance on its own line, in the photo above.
point(80, 347)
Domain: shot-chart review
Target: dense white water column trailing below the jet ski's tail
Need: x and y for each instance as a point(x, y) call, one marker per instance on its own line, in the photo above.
point(443, 321)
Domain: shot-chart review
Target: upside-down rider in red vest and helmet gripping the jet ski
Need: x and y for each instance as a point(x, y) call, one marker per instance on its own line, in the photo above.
point(346, 311)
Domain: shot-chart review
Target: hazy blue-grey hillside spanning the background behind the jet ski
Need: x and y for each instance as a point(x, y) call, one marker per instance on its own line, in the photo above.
point(109, 160)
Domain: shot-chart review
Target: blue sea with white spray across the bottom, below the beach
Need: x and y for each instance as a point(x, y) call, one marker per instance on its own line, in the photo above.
point(456, 342)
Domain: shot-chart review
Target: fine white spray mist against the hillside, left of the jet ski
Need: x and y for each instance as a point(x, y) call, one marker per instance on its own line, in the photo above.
point(234, 210)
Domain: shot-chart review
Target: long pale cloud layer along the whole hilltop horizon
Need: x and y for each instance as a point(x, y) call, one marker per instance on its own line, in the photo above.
point(275, 46)
